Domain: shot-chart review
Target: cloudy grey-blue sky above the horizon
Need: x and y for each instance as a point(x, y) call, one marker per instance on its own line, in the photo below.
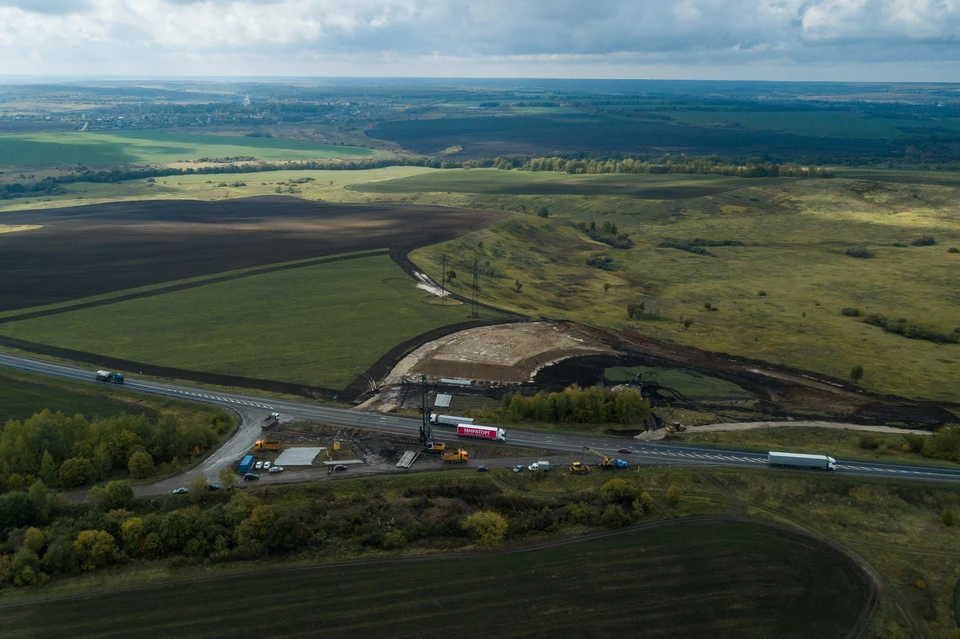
point(873, 40)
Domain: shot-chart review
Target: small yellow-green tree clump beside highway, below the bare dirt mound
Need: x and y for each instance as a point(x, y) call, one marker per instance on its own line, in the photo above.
point(578, 405)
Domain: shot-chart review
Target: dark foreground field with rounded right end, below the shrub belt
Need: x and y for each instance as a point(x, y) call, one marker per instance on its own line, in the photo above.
point(691, 579)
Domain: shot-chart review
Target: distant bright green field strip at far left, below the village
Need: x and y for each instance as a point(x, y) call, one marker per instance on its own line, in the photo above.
point(97, 149)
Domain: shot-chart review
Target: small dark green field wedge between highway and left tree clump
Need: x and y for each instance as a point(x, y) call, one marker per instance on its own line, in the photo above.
point(19, 399)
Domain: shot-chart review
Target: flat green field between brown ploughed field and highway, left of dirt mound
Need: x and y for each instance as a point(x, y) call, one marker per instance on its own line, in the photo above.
point(319, 325)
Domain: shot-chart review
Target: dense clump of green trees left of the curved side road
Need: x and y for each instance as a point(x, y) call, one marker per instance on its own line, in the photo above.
point(68, 451)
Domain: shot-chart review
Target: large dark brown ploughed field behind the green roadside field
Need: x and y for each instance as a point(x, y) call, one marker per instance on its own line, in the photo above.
point(91, 250)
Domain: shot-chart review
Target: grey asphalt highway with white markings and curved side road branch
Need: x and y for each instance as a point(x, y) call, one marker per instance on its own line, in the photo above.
point(253, 409)
